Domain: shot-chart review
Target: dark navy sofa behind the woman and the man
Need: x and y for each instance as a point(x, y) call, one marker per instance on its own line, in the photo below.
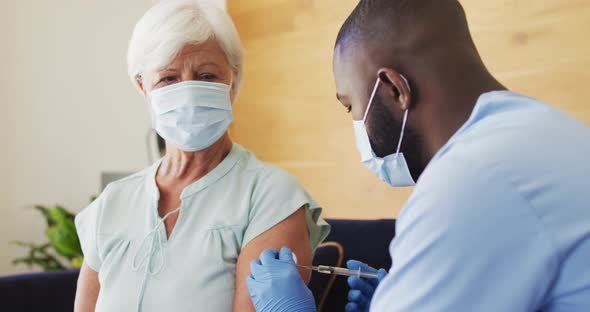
point(363, 240)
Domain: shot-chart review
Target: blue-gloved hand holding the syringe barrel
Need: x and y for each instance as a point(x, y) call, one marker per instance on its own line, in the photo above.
point(361, 289)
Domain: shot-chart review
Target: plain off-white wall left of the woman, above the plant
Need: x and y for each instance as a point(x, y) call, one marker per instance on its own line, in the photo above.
point(68, 110)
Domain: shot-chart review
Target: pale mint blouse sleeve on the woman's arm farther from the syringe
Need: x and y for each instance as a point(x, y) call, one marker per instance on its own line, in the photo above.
point(87, 222)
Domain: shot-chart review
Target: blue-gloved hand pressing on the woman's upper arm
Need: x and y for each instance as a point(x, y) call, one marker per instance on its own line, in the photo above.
point(276, 286)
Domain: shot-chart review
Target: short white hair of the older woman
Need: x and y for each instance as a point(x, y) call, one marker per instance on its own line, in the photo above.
point(170, 25)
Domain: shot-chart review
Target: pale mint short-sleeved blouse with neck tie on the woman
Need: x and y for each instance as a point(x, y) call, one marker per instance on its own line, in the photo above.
point(194, 270)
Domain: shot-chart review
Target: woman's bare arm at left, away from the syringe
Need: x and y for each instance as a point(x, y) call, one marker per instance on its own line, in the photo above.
point(87, 291)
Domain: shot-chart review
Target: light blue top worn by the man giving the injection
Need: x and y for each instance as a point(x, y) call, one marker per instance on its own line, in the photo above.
point(500, 219)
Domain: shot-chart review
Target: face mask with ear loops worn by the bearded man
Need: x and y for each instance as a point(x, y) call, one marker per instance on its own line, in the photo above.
point(393, 168)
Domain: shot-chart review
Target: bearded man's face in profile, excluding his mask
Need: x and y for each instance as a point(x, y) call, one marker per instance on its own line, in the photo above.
point(355, 74)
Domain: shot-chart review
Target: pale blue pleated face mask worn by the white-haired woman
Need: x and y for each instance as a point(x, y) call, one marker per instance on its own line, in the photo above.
point(191, 115)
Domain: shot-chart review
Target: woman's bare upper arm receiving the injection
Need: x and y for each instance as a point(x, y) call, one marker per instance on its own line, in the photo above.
point(291, 232)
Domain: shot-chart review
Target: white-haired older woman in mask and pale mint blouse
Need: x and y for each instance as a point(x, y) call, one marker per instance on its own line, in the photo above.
point(180, 235)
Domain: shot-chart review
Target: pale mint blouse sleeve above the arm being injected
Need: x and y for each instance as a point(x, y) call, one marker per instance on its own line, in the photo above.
point(277, 196)
